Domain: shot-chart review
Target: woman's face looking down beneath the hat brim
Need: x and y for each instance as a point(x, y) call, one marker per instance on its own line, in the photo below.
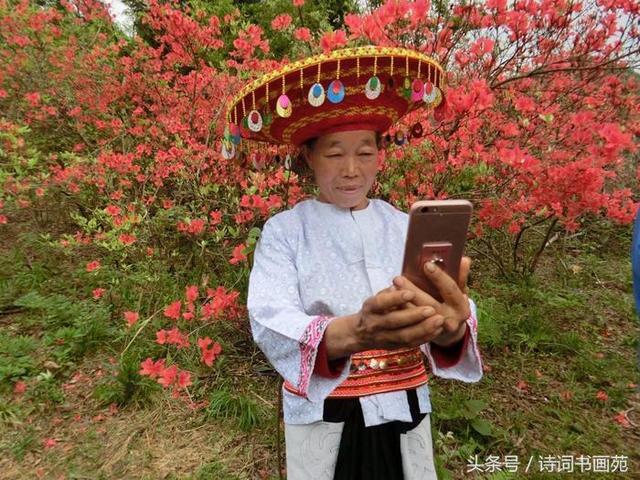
point(345, 166)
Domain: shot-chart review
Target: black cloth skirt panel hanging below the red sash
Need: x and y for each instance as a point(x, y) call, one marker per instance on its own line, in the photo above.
point(369, 453)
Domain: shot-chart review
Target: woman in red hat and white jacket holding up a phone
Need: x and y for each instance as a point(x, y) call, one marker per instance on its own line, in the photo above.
point(326, 300)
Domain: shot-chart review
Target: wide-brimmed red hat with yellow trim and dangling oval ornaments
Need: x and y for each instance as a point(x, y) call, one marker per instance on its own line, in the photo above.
point(363, 88)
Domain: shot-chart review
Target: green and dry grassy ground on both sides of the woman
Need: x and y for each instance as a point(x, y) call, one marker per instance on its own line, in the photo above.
point(549, 345)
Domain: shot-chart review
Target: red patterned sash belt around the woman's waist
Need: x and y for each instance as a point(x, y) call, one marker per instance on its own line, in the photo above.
point(379, 371)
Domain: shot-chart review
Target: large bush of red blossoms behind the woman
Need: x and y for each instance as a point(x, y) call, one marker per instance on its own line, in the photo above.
point(122, 136)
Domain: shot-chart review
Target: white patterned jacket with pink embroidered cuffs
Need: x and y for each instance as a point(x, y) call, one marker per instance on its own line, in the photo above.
point(316, 262)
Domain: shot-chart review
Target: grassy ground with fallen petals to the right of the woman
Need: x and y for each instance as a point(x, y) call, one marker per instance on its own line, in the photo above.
point(568, 335)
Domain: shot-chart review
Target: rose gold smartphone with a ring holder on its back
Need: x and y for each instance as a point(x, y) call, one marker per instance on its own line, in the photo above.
point(437, 232)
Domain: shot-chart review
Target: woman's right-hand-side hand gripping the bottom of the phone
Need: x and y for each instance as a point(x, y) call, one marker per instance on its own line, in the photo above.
point(454, 309)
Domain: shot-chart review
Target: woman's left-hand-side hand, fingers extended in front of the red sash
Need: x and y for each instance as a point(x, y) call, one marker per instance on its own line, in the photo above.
point(385, 321)
